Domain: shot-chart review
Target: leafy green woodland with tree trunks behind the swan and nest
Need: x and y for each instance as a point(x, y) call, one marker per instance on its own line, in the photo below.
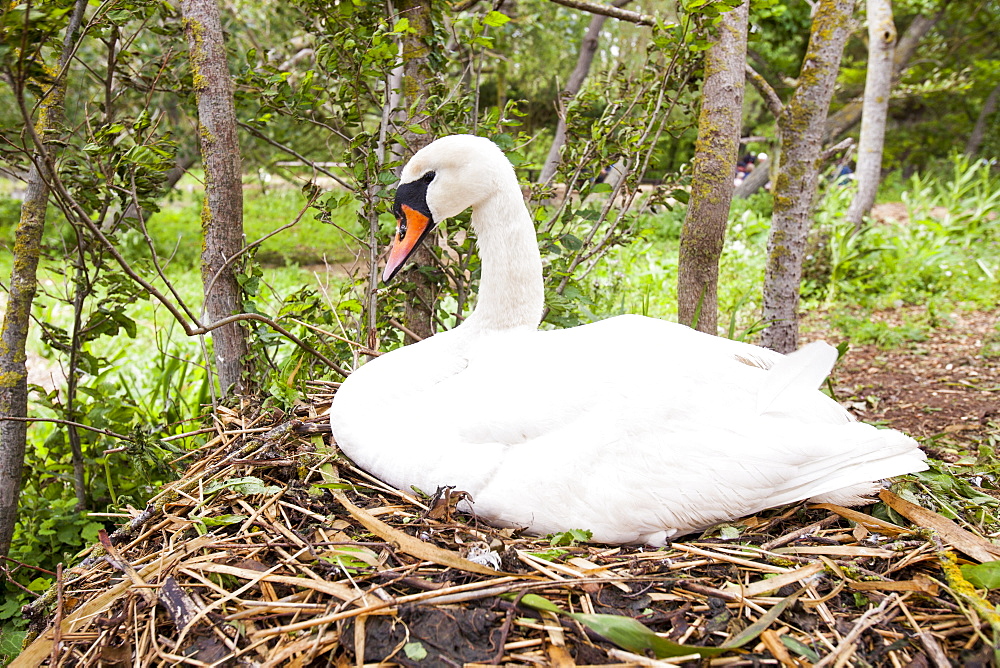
point(153, 153)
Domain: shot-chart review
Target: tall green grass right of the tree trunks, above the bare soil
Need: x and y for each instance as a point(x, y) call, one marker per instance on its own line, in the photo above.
point(945, 251)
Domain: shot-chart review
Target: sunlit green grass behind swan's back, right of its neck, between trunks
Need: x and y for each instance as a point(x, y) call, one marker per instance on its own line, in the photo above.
point(932, 262)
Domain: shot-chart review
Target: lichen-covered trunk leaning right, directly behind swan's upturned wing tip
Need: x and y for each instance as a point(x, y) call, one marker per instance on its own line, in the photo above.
point(801, 127)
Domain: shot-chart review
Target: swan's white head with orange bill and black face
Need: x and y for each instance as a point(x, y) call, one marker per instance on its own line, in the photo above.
point(441, 180)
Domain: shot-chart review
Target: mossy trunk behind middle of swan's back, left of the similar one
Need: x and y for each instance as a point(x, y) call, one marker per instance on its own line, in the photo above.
point(713, 170)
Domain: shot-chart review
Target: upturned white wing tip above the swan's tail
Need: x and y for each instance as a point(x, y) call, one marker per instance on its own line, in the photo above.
point(797, 374)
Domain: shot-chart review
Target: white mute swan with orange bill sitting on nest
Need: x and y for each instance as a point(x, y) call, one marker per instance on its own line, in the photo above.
point(634, 428)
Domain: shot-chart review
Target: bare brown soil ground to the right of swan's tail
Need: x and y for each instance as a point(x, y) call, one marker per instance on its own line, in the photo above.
point(944, 391)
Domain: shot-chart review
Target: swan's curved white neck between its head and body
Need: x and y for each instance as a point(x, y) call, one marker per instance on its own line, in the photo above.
point(511, 292)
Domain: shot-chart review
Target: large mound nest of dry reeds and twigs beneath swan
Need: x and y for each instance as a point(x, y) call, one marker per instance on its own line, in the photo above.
point(273, 549)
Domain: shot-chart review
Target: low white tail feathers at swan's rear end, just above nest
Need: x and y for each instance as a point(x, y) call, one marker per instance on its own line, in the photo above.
point(883, 454)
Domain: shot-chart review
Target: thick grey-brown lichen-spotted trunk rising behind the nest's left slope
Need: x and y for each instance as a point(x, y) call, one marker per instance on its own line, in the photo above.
point(222, 213)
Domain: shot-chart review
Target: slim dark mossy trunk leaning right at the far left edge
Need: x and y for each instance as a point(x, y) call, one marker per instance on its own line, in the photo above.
point(23, 284)
